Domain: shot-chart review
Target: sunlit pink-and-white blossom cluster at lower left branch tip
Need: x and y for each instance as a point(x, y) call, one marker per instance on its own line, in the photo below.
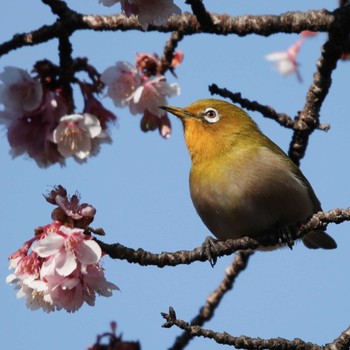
point(59, 268)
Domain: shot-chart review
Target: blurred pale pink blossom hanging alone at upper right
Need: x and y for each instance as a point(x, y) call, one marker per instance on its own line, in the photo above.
point(286, 61)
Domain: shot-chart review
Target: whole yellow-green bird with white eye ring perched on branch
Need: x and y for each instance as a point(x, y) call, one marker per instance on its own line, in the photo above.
point(241, 182)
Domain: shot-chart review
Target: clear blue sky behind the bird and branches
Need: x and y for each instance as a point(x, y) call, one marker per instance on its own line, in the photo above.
point(139, 185)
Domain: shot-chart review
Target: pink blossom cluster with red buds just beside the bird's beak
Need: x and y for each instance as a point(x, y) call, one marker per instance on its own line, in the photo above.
point(143, 89)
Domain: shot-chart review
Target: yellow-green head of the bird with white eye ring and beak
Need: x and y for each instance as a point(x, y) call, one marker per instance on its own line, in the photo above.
point(213, 126)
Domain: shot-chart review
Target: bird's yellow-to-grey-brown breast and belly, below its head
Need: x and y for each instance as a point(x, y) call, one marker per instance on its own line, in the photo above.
point(248, 193)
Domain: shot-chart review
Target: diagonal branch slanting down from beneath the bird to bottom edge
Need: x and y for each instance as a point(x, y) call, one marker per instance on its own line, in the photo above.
point(239, 264)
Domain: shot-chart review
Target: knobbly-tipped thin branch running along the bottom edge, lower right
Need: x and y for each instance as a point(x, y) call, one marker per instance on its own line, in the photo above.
point(242, 342)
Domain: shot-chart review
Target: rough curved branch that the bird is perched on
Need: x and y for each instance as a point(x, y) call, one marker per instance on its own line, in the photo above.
point(221, 248)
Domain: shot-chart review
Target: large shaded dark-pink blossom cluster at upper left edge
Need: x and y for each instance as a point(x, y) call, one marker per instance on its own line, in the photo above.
point(38, 121)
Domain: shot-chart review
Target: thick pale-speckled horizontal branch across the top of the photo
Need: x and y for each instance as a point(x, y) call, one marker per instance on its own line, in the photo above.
point(289, 22)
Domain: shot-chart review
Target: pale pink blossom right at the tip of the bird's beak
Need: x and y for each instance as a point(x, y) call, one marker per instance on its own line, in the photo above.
point(151, 94)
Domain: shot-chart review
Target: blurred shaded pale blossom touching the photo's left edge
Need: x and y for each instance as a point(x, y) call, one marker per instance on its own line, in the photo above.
point(19, 90)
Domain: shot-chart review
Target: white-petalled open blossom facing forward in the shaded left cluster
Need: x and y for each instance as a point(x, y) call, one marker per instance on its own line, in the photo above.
point(74, 133)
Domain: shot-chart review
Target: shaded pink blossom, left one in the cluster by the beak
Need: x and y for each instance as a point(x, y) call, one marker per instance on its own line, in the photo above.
point(121, 80)
